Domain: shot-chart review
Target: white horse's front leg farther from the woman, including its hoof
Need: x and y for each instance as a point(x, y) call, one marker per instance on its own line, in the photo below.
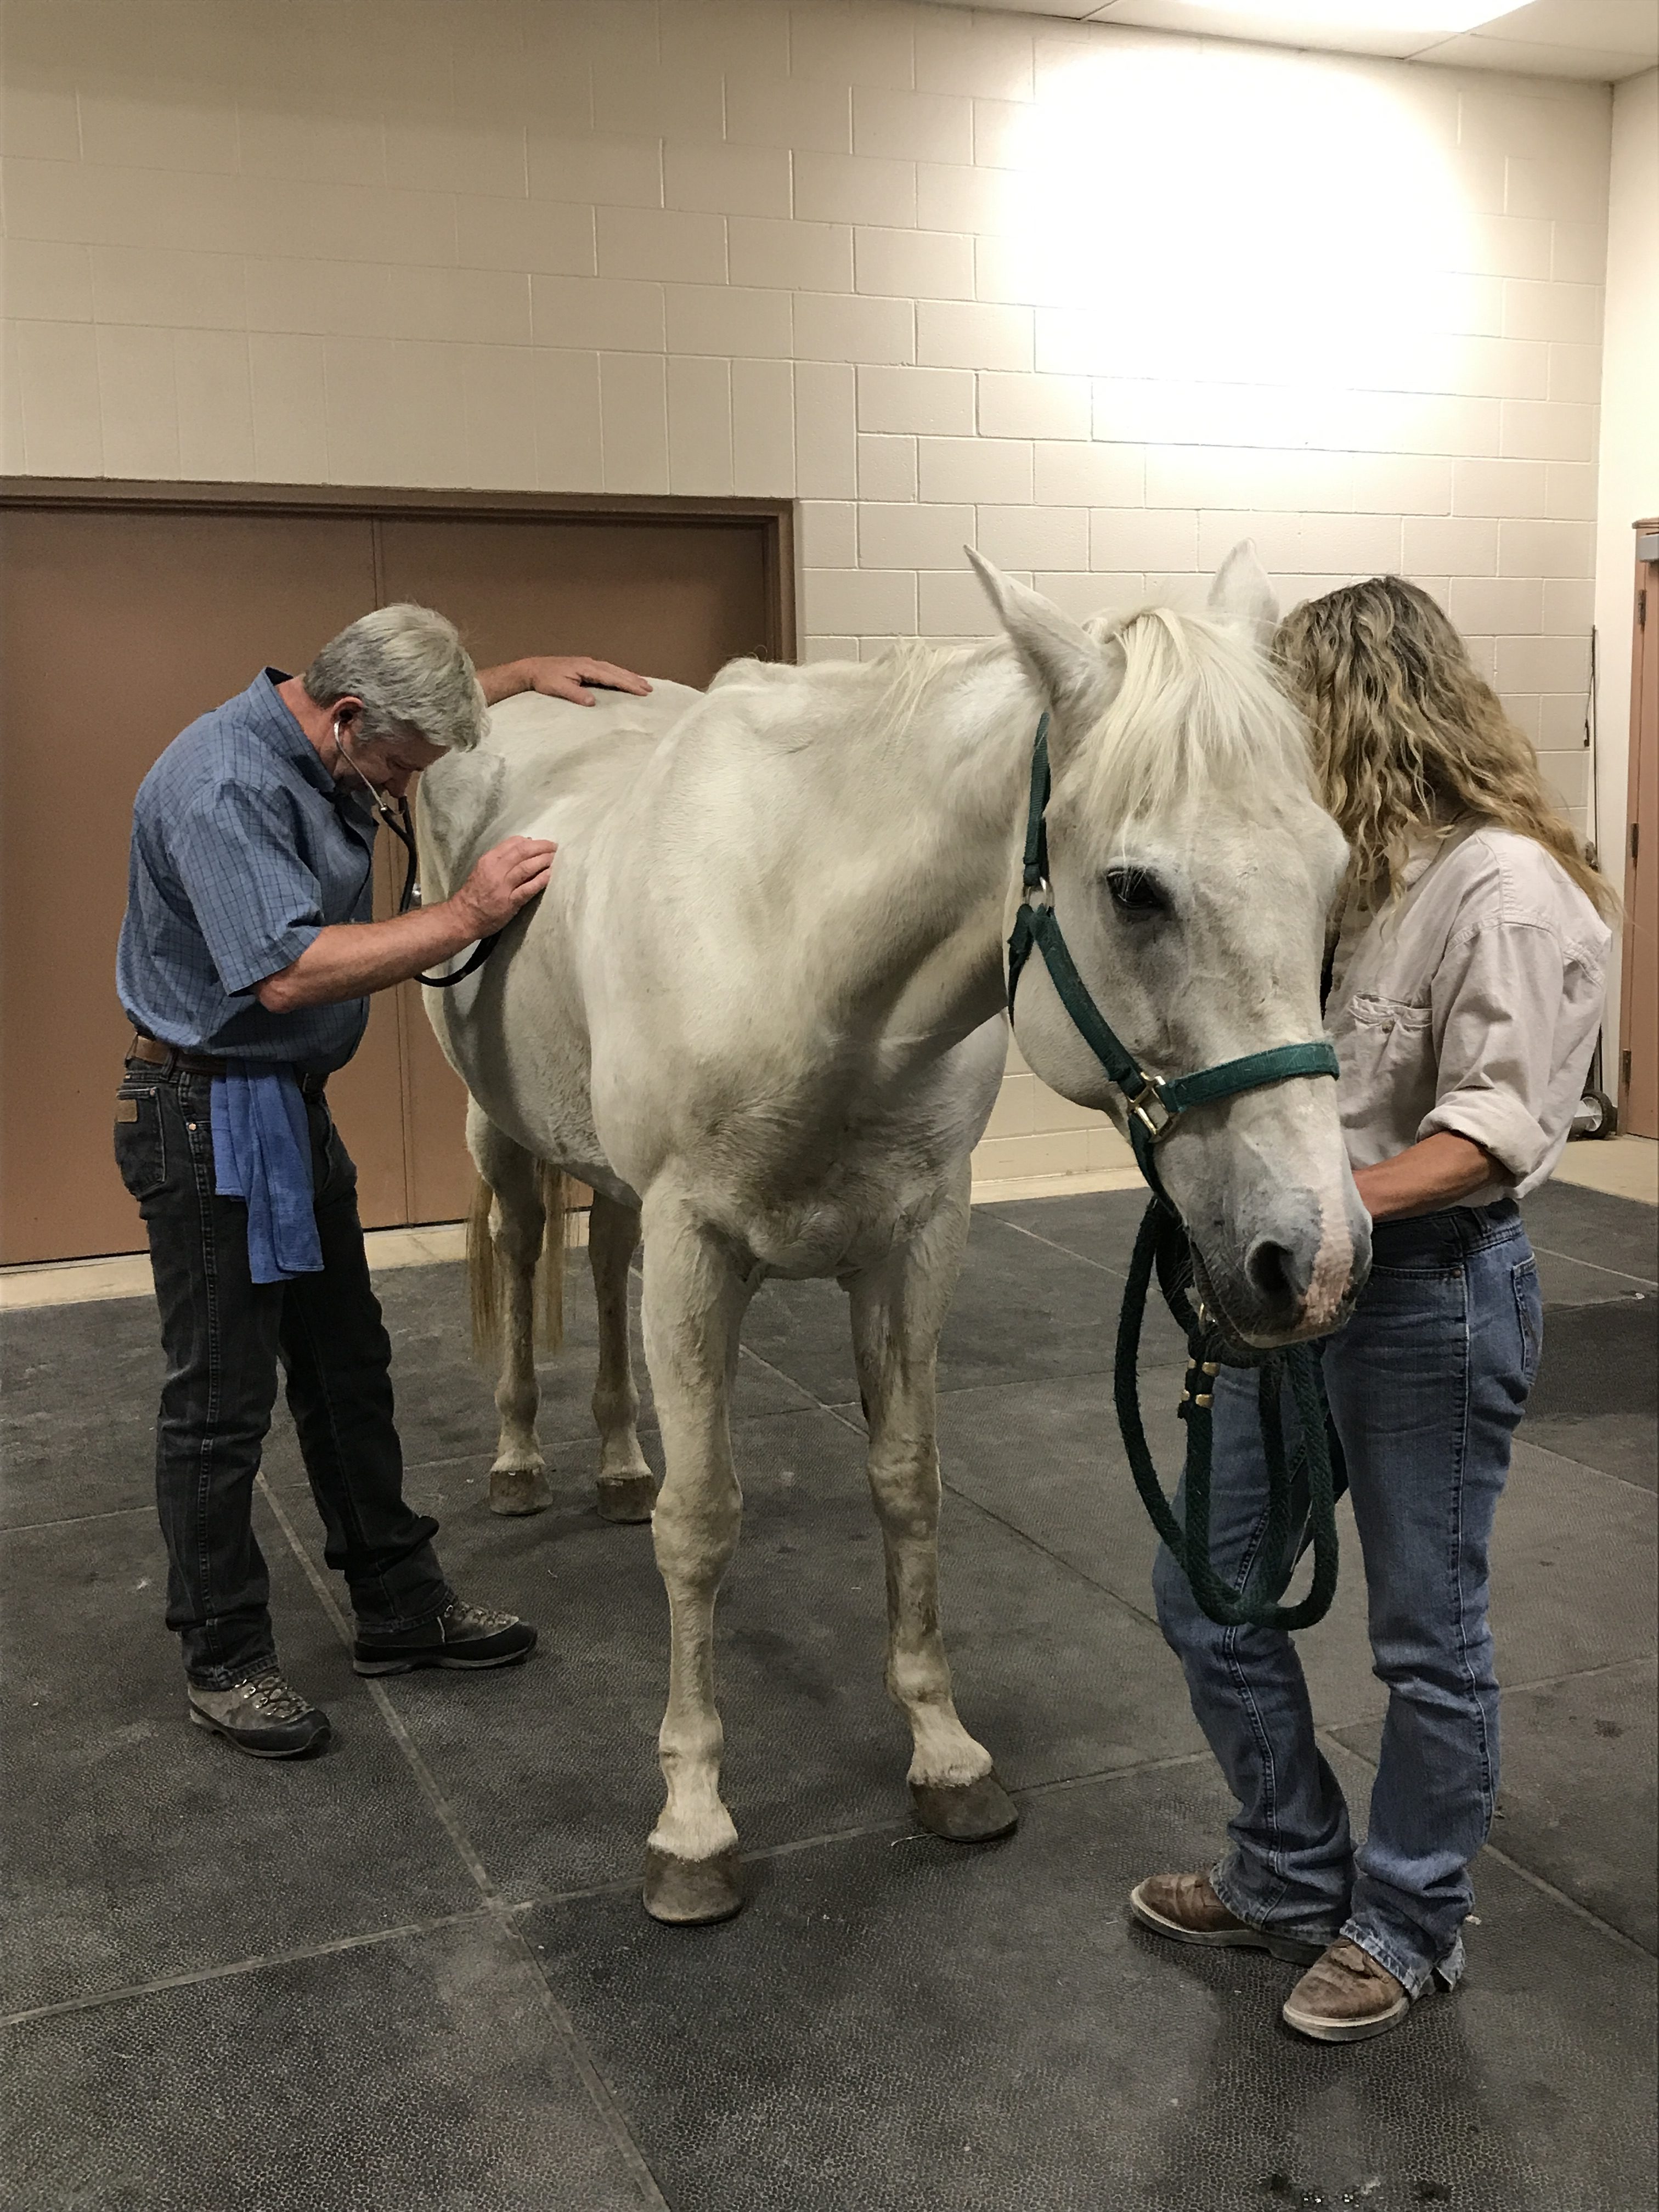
point(693, 1311)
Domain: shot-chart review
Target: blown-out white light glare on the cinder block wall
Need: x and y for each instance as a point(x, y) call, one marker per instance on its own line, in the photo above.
point(1231, 218)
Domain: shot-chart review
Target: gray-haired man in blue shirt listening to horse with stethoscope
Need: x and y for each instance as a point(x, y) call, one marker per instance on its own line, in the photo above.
point(247, 963)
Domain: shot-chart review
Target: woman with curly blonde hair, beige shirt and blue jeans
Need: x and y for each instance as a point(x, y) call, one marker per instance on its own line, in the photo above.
point(1465, 994)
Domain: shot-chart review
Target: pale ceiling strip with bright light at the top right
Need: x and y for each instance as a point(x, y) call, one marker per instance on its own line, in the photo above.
point(1547, 39)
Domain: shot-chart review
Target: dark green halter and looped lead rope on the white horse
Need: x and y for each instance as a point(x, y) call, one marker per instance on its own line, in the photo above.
point(1304, 1485)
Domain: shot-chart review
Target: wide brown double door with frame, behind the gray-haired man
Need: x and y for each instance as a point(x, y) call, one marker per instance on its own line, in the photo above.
point(125, 614)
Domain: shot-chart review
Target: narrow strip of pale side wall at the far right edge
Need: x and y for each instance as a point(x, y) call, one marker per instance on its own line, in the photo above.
point(1629, 461)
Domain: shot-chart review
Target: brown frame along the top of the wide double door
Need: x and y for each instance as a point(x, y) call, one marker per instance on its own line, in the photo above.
point(375, 503)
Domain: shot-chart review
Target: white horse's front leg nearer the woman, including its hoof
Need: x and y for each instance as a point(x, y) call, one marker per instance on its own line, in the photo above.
point(897, 1319)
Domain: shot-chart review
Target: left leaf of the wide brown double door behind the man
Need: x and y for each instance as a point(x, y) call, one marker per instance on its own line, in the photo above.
point(116, 632)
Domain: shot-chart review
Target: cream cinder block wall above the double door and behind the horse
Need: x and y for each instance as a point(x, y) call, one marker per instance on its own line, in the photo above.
point(1098, 302)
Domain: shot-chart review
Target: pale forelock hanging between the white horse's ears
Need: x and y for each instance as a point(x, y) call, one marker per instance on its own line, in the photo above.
point(1198, 711)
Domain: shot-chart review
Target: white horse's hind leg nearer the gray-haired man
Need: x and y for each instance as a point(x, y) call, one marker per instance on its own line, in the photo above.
point(503, 1273)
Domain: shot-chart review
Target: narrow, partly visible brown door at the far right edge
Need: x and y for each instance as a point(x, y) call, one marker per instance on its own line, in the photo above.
point(1640, 988)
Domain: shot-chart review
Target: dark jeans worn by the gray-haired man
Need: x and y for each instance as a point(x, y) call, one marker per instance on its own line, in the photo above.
point(225, 1337)
